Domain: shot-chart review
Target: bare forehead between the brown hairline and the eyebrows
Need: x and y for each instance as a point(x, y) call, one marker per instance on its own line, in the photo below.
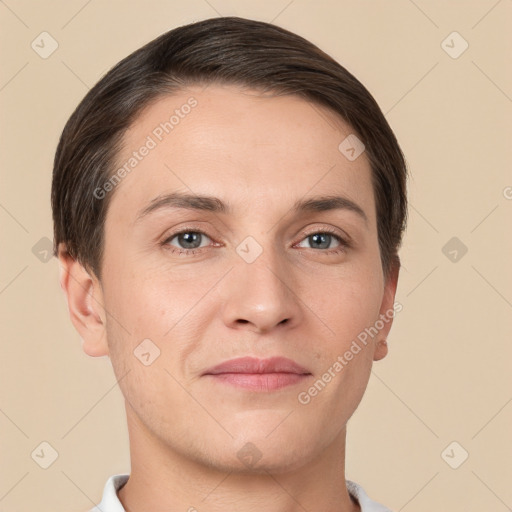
point(240, 145)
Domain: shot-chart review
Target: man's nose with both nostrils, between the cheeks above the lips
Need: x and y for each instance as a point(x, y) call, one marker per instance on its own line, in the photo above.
point(260, 296)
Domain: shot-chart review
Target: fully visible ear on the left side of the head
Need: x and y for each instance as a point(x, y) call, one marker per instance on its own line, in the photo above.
point(85, 303)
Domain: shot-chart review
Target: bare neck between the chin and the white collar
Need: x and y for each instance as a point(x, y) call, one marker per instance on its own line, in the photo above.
point(162, 479)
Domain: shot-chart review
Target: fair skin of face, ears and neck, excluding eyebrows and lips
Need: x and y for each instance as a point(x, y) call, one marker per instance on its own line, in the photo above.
point(260, 154)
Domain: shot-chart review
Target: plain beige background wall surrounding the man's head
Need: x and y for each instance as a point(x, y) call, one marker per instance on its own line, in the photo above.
point(448, 374)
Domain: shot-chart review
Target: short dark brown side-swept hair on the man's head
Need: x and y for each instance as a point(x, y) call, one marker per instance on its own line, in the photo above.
point(226, 50)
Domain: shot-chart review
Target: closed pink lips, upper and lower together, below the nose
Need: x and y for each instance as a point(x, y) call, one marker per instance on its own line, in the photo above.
point(262, 375)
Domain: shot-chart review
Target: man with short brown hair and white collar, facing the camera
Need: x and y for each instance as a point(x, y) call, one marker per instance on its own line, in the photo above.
point(228, 205)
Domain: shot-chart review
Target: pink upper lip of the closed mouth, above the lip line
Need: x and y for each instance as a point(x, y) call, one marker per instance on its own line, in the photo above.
point(255, 365)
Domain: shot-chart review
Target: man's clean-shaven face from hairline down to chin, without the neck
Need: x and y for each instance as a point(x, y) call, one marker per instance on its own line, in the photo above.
point(262, 267)
